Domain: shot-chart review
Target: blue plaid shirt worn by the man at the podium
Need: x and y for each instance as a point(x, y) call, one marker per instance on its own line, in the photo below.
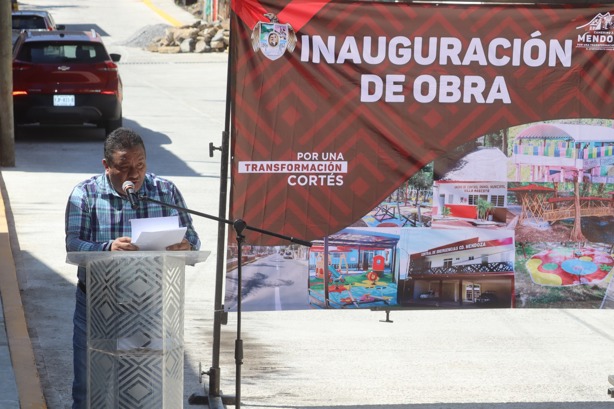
point(96, 214)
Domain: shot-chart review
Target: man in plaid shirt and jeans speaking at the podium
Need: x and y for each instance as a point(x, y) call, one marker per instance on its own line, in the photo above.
point(98, 217)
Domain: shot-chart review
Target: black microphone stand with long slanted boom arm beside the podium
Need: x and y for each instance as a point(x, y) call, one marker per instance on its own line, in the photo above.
point(239, 226)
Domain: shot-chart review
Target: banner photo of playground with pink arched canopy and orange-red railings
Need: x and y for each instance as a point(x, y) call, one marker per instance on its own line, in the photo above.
point(561, 177)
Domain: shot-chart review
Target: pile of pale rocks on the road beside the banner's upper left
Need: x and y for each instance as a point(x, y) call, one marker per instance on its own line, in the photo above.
point(200, 37)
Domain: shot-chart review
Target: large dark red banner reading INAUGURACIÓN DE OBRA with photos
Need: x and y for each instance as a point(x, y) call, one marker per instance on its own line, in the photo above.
point(436, 155)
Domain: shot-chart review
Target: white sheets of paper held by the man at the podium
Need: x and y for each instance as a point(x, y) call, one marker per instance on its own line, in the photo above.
point(157, 233)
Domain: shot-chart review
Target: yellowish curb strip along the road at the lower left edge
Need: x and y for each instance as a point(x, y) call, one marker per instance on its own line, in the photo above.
point(29, 388)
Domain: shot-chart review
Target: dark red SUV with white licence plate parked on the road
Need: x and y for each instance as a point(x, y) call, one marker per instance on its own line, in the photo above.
point(66, 78)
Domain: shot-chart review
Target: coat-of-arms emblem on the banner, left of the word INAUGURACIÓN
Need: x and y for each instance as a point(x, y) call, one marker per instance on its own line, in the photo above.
point(273, 38)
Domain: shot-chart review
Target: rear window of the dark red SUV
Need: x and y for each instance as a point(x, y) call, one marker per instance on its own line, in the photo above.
point(51, 53)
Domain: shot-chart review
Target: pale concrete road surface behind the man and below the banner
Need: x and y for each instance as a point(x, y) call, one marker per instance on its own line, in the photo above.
point(495, 359)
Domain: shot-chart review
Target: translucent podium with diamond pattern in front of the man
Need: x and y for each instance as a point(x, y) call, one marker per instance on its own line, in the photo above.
point(135, 327)
